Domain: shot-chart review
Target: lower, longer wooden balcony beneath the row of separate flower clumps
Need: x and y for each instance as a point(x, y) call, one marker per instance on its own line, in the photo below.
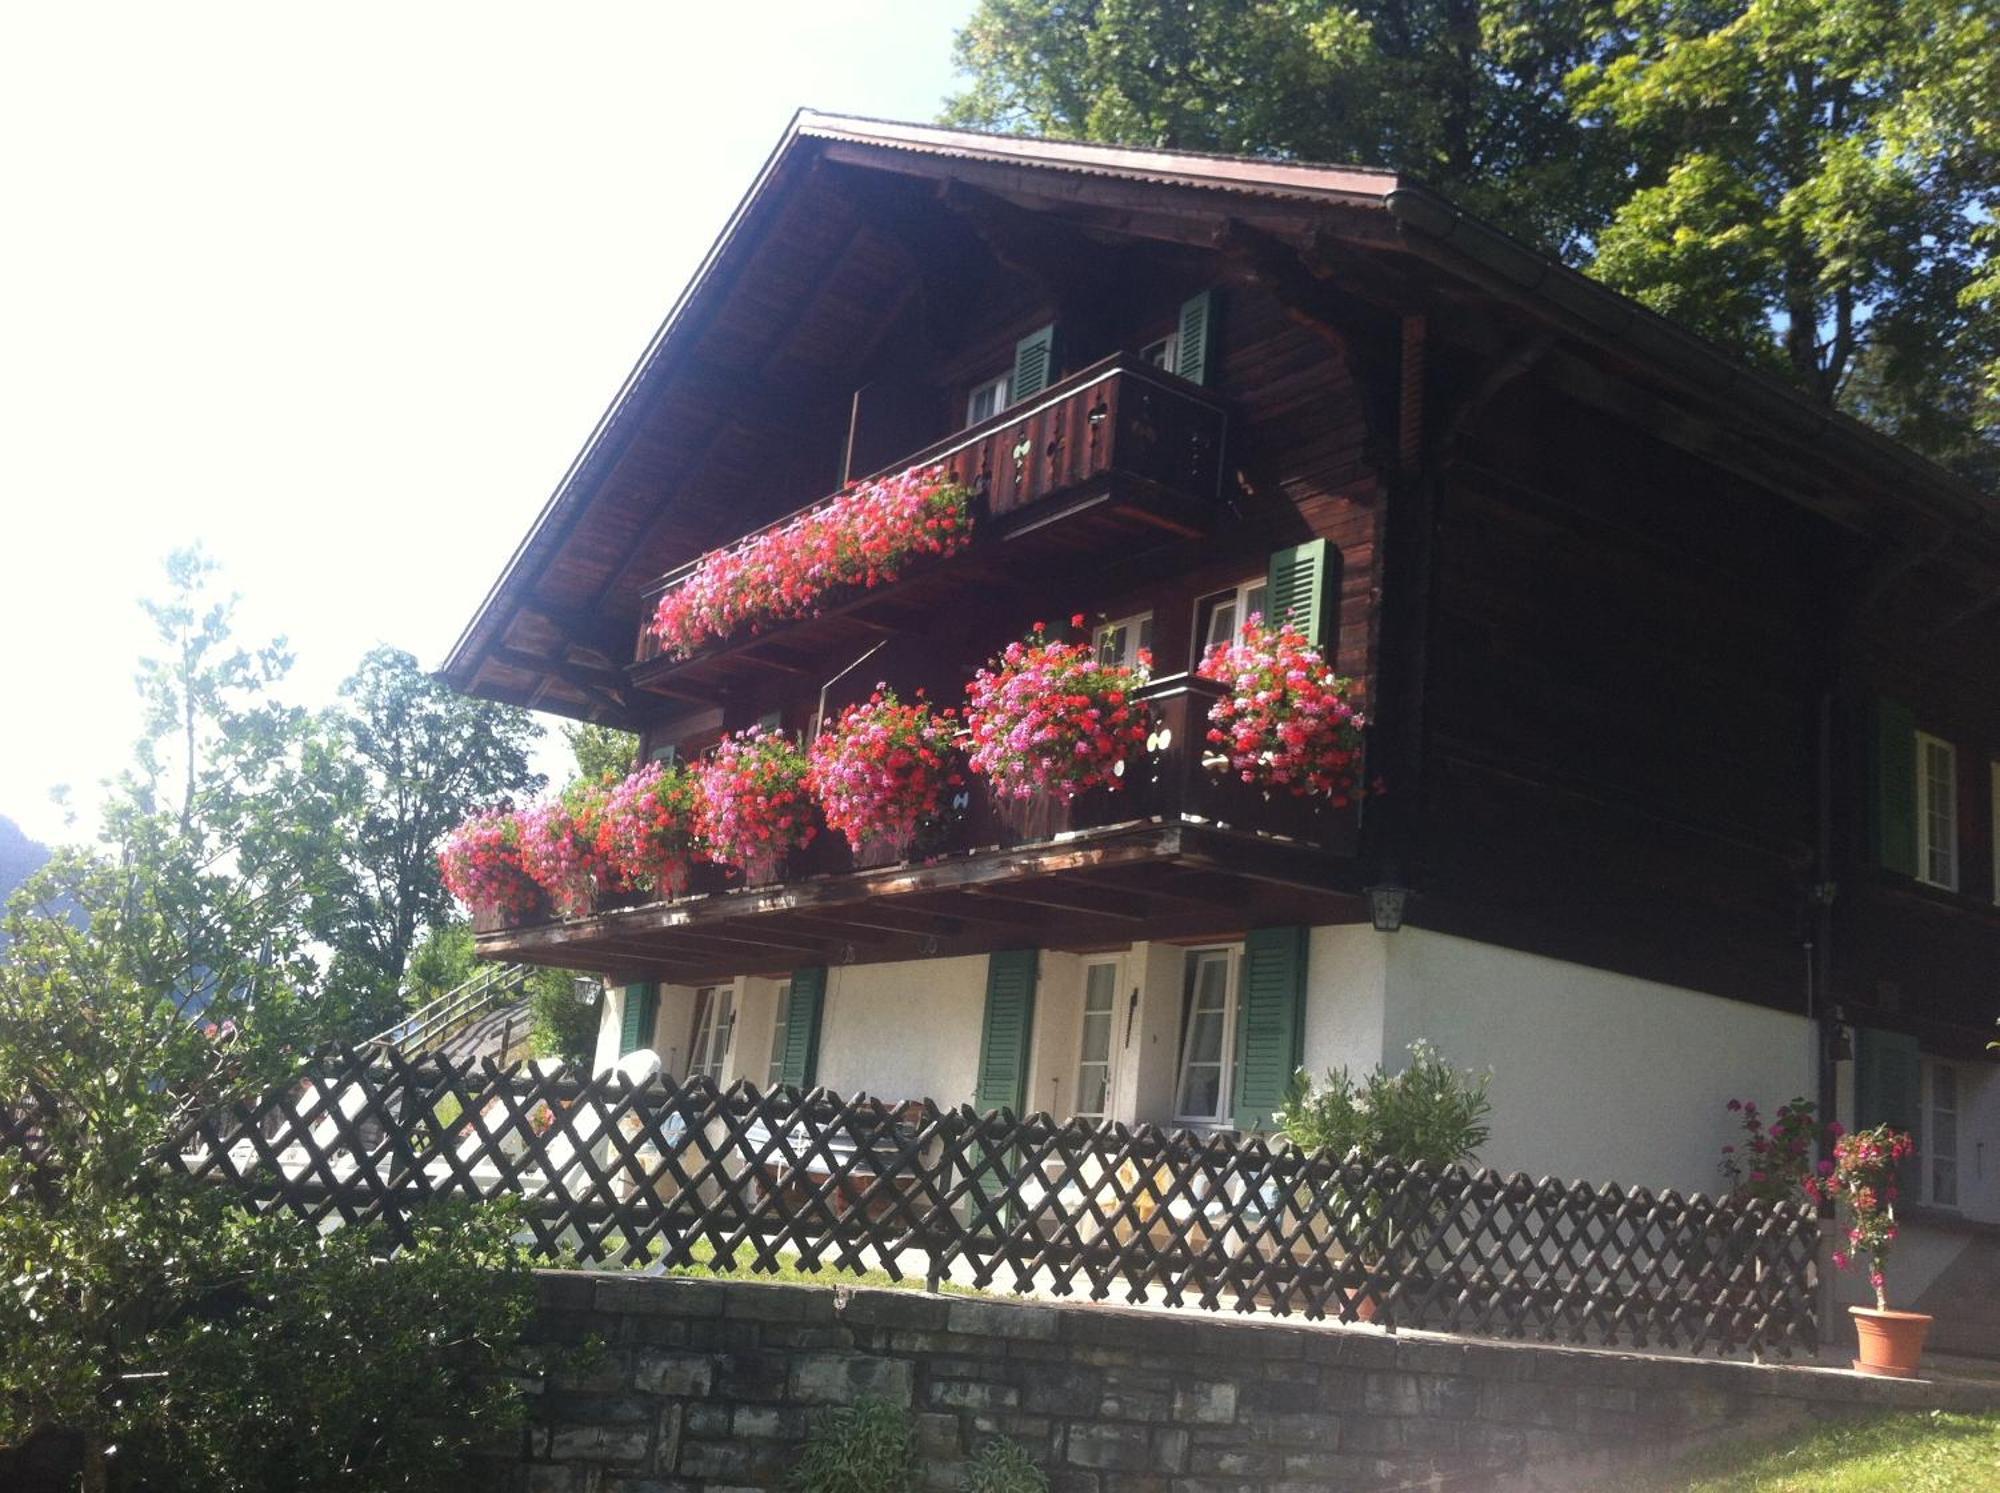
point(1181, 852)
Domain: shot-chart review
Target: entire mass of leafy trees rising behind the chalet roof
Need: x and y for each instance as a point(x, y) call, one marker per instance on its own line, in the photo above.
point(1811, 183)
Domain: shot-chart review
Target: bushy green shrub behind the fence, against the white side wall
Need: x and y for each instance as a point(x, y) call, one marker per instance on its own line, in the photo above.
point(1429, 1112)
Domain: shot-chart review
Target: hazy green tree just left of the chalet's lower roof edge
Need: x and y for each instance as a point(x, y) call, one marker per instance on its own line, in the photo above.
point(411, 760)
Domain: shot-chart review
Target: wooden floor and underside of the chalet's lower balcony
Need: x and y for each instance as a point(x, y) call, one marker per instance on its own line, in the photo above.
point(1087, 890)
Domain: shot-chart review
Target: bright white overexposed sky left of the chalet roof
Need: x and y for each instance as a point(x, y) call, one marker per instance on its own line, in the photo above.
point(337, 293)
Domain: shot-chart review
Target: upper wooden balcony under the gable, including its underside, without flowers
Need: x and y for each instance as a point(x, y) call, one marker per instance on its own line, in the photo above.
point(1109, 457)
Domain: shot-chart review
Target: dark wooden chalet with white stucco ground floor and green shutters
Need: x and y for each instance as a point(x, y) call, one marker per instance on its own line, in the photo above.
point(1683, 691)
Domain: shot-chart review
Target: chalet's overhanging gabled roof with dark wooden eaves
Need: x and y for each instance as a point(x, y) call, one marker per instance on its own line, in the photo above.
point(571, 587)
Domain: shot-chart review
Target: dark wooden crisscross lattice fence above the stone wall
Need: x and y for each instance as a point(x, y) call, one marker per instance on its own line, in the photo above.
point(745, 1180)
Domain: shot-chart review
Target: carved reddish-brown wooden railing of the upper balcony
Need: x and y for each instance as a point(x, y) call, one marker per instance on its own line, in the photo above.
point(1119, 425)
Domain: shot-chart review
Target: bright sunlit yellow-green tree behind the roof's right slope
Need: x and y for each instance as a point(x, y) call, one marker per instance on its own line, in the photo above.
point(1813, 179)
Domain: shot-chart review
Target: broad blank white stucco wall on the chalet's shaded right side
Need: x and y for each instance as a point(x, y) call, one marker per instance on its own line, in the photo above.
point(1597, 1076)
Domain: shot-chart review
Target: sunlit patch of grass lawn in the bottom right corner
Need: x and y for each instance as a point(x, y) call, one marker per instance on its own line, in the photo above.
point(1917, 1452)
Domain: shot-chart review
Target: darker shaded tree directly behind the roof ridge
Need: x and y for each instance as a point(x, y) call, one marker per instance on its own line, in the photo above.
point(1463, 93)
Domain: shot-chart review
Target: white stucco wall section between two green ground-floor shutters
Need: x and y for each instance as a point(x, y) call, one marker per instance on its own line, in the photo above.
point(907, 1030)
